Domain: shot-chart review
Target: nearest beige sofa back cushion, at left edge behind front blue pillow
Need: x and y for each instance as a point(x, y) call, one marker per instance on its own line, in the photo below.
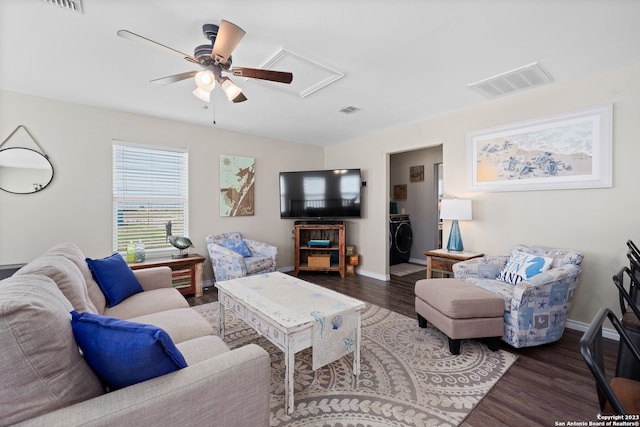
point(43, 369)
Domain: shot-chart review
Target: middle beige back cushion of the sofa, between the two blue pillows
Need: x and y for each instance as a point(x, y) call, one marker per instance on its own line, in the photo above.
point(67, 277)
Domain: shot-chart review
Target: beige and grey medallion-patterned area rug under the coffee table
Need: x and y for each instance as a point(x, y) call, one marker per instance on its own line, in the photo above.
point(408, 376)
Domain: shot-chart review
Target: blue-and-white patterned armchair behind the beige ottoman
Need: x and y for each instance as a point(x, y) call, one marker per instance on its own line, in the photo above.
point(535, 308)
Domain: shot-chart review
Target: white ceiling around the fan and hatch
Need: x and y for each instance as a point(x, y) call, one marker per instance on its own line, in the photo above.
point(403, 60)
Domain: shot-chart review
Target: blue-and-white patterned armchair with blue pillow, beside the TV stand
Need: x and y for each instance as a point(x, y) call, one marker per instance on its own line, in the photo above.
point(233, 257)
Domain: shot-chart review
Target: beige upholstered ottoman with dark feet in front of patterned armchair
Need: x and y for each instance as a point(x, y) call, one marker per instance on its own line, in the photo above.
point(460, 310)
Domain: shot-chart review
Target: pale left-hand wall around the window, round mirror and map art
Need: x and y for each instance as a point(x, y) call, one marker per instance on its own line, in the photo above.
point(76, 207)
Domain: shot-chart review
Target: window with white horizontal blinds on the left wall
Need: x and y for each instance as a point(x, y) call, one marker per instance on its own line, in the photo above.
point(150, 188)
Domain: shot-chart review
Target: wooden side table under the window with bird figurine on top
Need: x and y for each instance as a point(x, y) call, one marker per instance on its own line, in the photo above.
point(186, 272)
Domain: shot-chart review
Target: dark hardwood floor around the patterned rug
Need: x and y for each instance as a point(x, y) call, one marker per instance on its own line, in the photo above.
point(546, 384)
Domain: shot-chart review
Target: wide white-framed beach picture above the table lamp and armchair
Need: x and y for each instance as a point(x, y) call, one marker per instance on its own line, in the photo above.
point(571, 150)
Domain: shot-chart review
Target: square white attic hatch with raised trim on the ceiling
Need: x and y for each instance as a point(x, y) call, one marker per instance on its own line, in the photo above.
point(308, 76)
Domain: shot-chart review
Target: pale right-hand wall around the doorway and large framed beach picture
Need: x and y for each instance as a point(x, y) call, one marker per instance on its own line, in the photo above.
point(597, 222)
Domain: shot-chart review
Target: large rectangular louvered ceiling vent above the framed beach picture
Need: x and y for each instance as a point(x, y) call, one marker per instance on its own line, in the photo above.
point(517, 80)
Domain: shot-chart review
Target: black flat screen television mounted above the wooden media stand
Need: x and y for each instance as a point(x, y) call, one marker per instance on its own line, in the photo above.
point(320, 194)
